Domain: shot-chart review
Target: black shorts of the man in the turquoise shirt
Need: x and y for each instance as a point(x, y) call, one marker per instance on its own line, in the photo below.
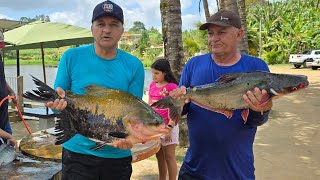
point(77, 166)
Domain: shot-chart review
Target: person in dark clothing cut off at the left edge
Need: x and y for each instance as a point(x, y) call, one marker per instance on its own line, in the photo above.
point(5, 90)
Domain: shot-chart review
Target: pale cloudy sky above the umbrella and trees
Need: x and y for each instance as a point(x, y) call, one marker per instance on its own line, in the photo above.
point(79, 12)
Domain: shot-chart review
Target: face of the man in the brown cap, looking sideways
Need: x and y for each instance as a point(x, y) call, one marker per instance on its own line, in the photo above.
point(223, 40)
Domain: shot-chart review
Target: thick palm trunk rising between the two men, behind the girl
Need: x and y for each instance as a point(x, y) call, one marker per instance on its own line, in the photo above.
point(172, 34)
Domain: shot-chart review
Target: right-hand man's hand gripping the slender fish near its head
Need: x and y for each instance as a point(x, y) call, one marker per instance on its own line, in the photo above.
point(258, 100)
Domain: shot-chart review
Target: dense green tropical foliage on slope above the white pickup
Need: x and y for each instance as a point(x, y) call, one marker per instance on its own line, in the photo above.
point(286, 27)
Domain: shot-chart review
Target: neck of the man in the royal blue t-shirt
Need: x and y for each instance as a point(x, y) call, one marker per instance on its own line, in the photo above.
point(226, 60)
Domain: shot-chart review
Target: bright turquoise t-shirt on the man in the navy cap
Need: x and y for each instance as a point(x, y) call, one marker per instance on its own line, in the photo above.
point(80, 67)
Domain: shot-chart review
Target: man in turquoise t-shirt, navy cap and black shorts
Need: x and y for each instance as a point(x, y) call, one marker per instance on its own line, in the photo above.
point(103, 64)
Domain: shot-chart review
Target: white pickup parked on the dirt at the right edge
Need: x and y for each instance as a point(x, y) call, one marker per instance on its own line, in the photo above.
point(301, 59)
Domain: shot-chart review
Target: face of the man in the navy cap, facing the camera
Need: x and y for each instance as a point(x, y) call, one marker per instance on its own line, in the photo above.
point(107, 31)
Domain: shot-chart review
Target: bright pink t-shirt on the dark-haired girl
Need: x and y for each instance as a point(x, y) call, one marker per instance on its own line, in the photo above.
point(157, 93)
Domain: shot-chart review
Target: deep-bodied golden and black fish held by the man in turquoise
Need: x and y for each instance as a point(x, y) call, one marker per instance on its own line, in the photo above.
point(103, 115)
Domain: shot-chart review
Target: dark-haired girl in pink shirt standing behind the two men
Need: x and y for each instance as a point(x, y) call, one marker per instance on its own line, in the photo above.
point(164, 82)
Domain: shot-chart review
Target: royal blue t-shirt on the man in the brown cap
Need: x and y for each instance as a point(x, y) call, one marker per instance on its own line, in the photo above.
point(220, 148)
